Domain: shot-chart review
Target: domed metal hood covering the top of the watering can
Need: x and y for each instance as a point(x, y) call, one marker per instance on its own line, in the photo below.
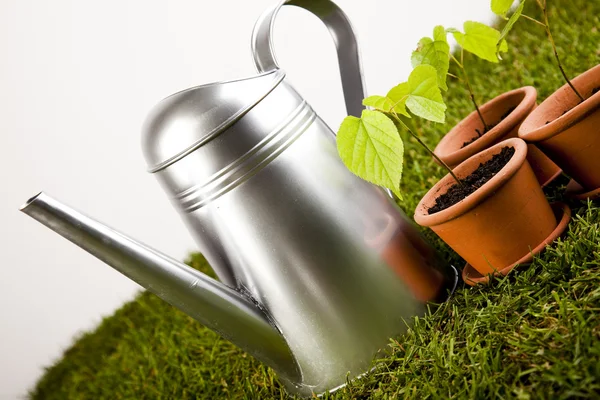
point(186, 120)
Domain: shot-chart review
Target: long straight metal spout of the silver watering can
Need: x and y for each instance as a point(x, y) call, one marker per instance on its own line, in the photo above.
point(233, 315)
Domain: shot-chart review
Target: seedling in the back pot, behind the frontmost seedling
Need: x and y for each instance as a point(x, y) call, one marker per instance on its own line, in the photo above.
point(477, 38)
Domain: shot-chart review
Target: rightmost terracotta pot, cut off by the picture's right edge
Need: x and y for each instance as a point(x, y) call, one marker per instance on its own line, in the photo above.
point(572, 139)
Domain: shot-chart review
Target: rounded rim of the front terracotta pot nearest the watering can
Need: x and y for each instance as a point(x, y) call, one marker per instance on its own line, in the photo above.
point(464, 169)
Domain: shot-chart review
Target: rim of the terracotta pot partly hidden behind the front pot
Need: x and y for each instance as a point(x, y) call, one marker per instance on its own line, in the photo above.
point(519, 114)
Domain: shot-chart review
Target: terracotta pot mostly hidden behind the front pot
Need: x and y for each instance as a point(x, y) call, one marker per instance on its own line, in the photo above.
point(521, 101)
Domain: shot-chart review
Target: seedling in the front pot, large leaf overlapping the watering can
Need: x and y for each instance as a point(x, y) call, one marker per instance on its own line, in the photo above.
point(371, 146)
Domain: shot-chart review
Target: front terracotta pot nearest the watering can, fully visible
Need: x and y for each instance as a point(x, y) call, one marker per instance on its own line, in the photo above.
point(501, 221)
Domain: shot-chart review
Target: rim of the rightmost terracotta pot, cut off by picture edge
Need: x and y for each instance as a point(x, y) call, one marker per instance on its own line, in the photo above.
point(533, 131)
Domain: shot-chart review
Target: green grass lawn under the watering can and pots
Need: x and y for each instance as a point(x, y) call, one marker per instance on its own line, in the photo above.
point(534, 334)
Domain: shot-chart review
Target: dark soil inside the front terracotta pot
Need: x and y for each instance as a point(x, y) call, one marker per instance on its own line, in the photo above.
point(471, 183)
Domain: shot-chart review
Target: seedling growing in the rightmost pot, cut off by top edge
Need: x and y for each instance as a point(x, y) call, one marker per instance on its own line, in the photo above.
point(501, 8)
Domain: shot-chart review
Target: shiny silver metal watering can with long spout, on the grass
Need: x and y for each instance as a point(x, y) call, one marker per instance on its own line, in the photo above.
point(318, 268)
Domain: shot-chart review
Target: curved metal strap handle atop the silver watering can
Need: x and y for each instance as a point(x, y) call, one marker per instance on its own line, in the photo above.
point(345, 41)
